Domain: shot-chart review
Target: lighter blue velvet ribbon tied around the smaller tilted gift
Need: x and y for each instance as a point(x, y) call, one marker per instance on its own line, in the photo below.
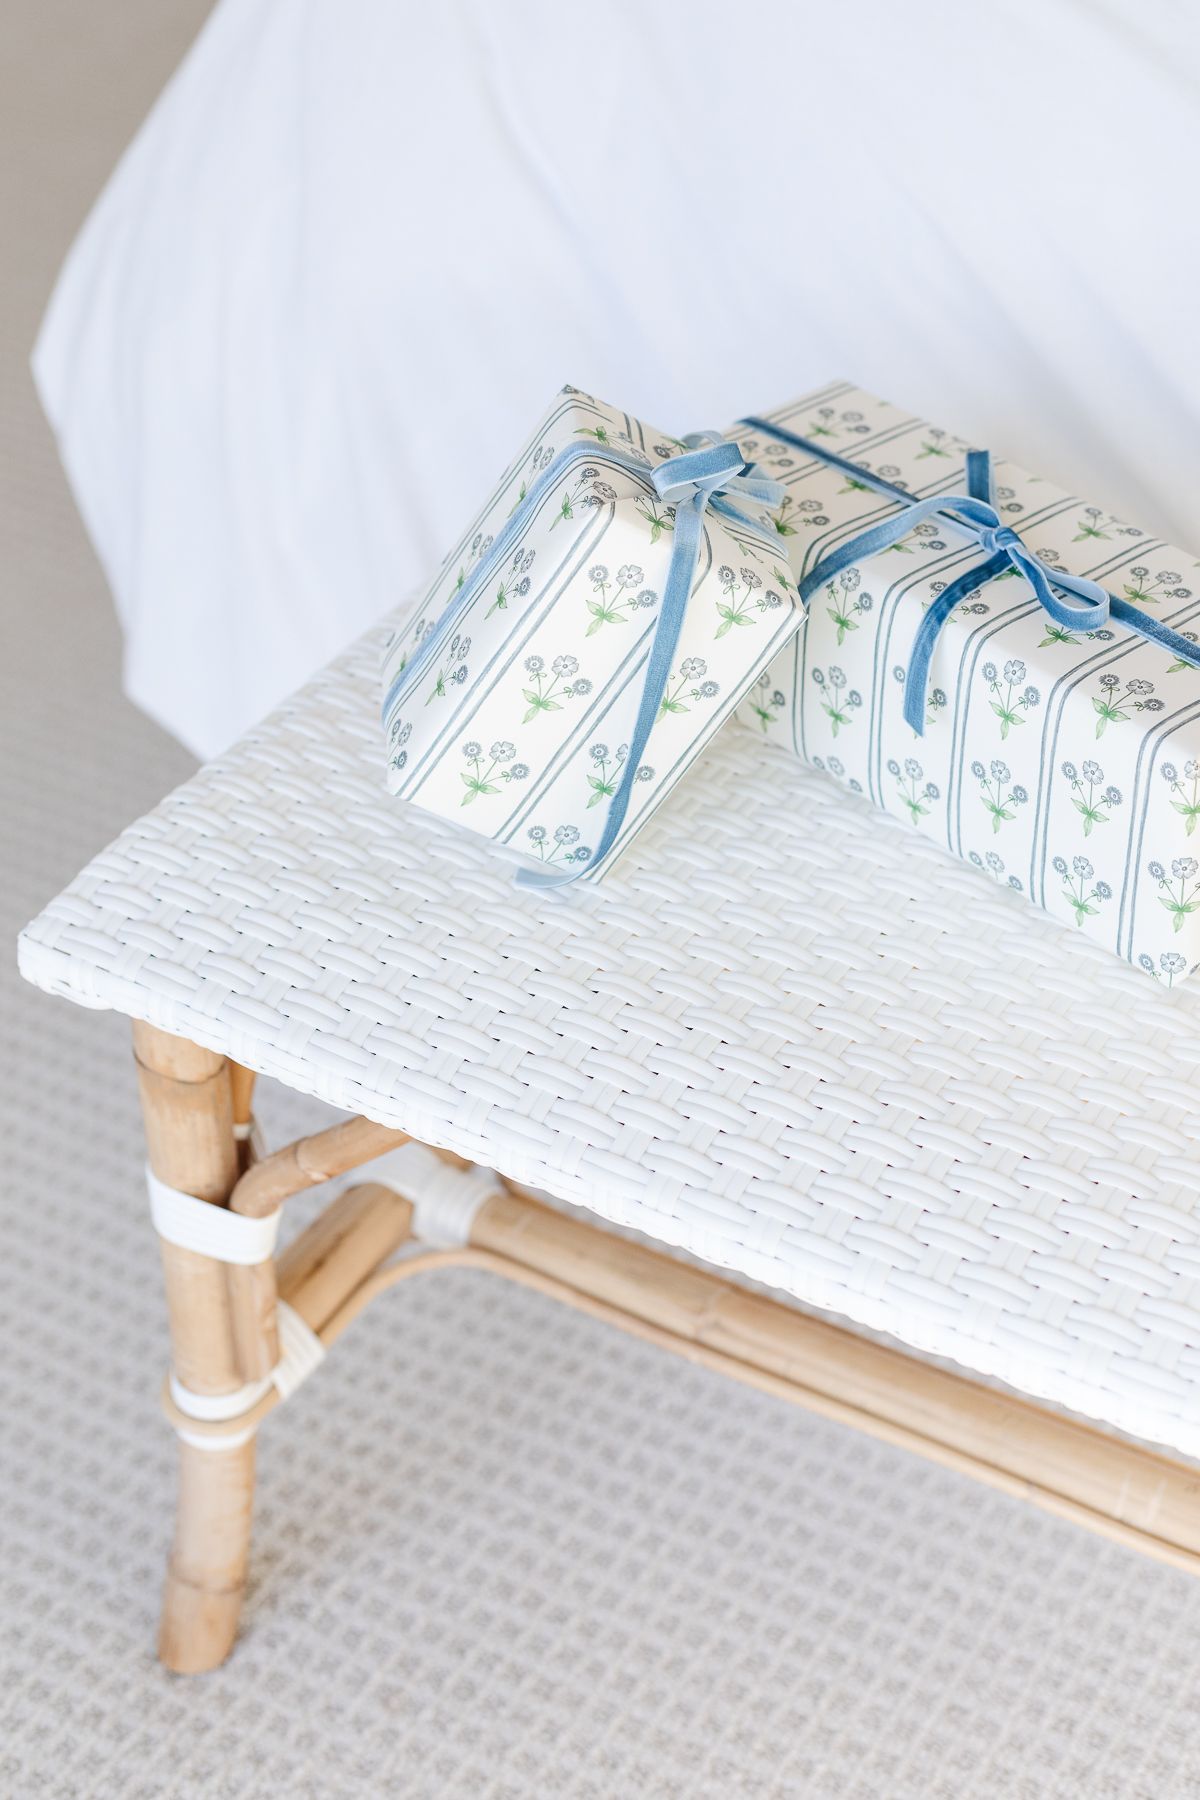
point(708, 476)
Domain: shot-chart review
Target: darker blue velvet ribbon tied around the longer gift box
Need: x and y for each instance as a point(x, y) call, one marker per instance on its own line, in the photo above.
point(1073, 602)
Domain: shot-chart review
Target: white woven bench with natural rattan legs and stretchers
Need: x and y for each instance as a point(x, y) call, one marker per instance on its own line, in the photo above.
point(784, 1036)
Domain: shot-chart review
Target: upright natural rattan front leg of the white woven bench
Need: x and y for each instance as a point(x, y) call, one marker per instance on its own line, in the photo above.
point(190, 1137)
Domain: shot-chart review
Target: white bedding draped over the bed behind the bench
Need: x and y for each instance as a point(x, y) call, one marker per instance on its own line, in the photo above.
point(359, 244)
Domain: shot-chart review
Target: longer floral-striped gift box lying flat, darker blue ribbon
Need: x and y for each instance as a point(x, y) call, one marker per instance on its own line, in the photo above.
point(1008, 669)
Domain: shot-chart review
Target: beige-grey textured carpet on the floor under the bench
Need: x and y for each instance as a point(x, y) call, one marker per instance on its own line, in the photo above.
point(499, 1549)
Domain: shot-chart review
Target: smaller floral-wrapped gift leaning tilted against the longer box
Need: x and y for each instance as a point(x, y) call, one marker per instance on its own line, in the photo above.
point(605, 613)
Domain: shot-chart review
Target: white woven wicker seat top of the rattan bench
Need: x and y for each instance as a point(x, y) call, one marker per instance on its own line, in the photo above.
point(785, 1034)
